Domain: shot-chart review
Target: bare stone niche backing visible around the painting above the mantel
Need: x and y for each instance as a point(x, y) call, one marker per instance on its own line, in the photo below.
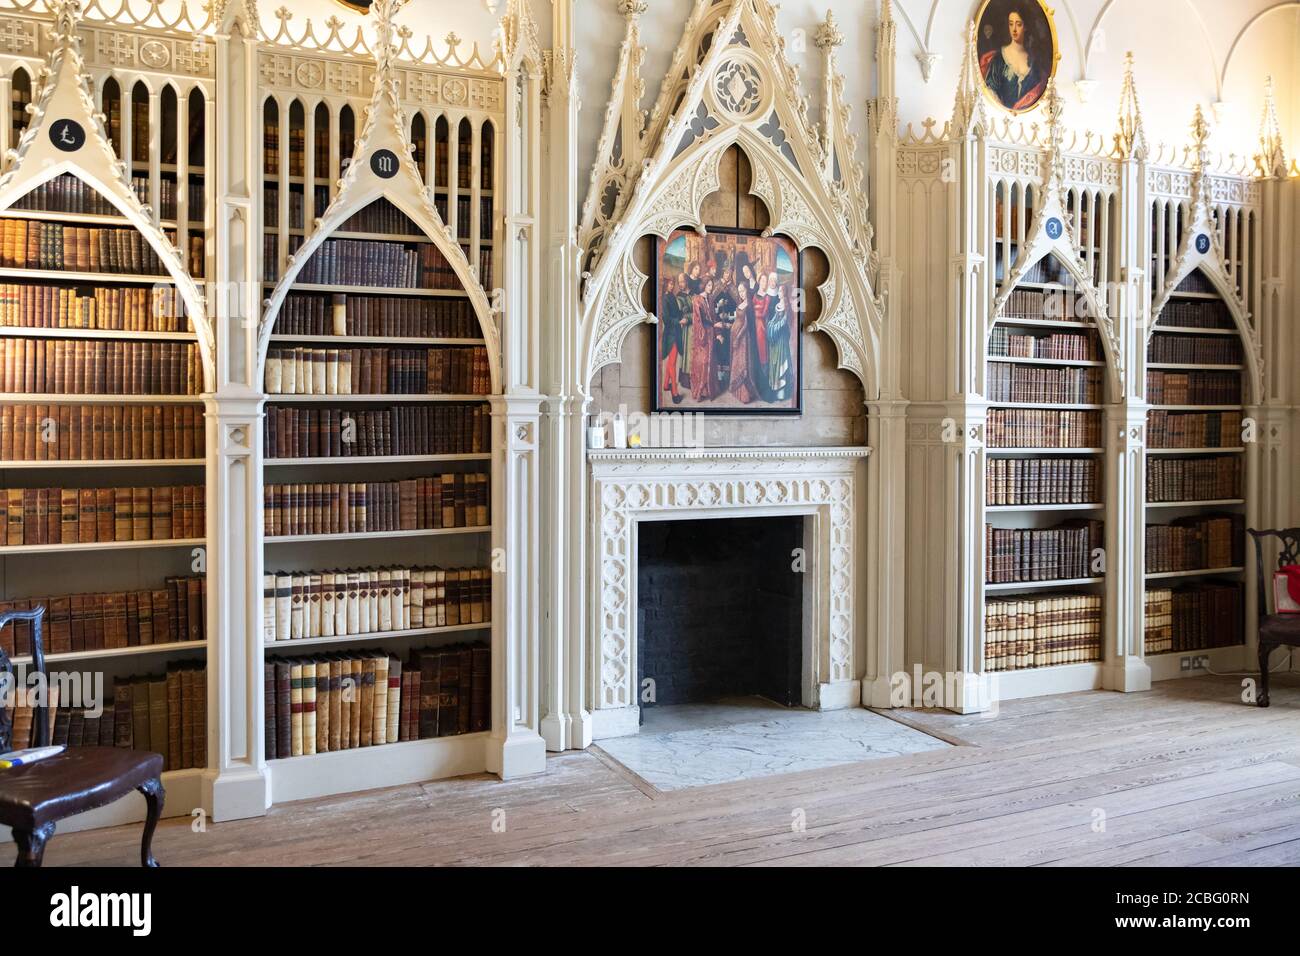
point(834, 412)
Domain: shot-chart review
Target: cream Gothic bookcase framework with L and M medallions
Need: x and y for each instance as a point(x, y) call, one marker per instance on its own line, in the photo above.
point(202, 113)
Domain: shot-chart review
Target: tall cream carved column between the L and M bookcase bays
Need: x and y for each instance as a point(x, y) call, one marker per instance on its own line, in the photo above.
point(237, 784)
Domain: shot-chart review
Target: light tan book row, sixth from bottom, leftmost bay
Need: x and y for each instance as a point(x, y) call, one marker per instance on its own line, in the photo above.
point(116, 309)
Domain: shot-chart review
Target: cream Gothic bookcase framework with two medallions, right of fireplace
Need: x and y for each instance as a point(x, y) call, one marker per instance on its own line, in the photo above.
point(1126, 233)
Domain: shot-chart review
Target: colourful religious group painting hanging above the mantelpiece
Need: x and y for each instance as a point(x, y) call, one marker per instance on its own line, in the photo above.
point(729, 332)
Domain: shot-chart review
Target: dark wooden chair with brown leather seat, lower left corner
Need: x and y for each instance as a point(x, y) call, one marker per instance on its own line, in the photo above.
point(34, 798)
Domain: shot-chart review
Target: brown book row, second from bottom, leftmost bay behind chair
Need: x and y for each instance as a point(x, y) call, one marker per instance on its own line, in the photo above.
point(109, 621)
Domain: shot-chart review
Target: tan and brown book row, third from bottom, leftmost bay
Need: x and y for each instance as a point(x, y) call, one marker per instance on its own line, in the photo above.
point(86, 516)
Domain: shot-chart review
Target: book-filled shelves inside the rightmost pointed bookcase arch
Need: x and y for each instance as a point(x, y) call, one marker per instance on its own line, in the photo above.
point(1198, 356)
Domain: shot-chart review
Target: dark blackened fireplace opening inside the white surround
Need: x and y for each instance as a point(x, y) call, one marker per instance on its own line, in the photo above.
point(721, 609)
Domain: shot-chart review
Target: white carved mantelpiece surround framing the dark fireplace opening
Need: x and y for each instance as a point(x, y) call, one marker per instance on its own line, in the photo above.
point(821, 485)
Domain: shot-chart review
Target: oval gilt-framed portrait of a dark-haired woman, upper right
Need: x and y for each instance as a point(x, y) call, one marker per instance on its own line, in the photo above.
point(1017, 46)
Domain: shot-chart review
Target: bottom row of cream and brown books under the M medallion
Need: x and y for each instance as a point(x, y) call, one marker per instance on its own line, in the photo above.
point(367, 699)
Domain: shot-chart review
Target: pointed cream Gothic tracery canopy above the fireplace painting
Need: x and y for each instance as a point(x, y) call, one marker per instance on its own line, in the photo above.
point(644, 183)
